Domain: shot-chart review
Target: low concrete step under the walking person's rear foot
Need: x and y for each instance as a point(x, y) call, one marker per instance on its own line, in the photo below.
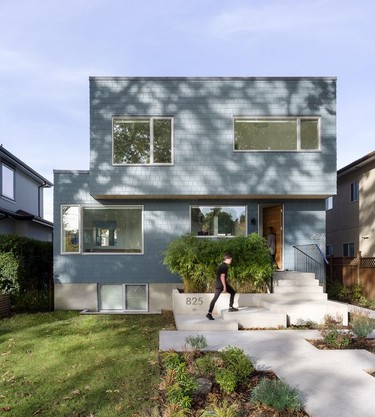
point(200, 322)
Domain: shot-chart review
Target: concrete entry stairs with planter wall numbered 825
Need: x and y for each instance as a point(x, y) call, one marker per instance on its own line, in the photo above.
point(297, 299)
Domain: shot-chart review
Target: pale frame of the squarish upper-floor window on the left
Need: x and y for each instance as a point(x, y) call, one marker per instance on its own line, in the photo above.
point(150, 119)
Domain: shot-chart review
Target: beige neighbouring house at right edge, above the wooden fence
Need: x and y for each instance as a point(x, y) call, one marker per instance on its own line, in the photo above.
point(350, 220)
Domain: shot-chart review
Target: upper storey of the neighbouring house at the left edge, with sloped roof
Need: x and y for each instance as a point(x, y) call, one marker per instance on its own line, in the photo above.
point(22, 188)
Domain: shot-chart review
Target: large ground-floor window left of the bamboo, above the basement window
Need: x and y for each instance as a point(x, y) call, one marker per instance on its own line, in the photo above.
point(102, 229)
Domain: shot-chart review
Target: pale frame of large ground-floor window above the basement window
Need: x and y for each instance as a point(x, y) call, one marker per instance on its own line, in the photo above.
point(81, 231)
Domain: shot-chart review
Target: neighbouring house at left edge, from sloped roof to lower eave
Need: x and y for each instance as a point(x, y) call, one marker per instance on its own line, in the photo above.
point(21, 202)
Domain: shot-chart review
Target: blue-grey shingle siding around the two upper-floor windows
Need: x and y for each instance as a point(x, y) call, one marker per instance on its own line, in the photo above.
point(204, 161)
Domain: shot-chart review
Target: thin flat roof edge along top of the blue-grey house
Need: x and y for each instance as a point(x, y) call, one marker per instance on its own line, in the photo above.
point(207, 78)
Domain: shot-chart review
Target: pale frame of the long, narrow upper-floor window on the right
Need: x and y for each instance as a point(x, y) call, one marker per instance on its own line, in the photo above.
point(298, 120)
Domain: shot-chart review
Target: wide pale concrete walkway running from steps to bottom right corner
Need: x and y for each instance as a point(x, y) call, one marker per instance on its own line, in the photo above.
point(332, 383)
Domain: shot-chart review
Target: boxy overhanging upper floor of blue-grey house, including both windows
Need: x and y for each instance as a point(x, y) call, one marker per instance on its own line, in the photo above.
point(212, 137)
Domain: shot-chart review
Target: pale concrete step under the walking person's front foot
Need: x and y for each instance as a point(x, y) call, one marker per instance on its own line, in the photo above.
point(256, 318)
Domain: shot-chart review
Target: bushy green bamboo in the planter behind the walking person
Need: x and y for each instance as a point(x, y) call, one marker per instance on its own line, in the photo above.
point(196, 261)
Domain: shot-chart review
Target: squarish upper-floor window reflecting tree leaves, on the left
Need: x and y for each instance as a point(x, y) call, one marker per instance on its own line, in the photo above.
point(142, 141)
